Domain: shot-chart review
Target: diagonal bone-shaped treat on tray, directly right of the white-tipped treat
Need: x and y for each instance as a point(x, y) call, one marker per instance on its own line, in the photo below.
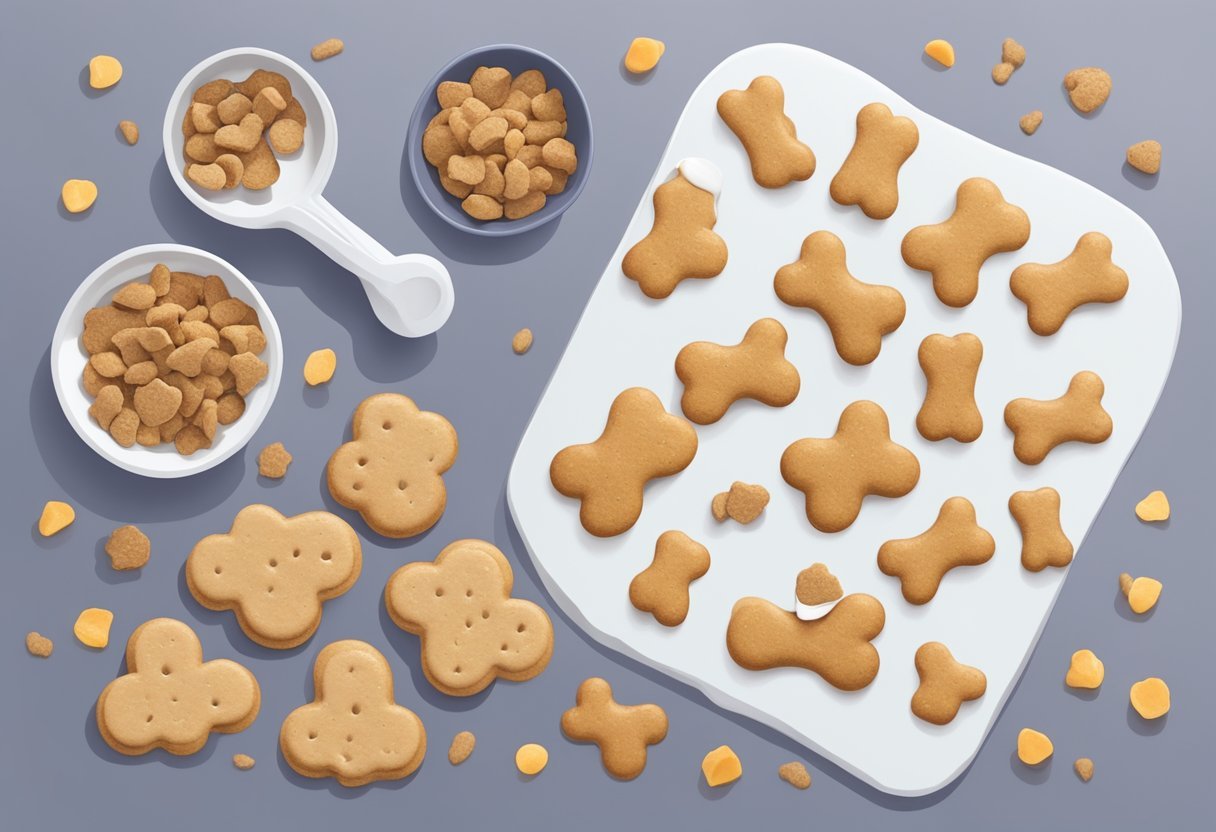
point(858, 314)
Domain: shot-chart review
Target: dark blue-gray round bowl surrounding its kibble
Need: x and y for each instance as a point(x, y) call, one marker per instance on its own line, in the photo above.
point(516, 60)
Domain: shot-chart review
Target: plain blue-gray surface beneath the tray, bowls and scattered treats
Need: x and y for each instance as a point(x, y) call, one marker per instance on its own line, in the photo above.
point(57, 773)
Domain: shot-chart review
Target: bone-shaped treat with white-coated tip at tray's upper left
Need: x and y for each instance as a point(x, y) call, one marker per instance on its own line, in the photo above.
point(682, 245)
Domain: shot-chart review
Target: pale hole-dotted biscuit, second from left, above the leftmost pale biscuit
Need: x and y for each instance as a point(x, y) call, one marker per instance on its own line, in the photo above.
point(275, 572)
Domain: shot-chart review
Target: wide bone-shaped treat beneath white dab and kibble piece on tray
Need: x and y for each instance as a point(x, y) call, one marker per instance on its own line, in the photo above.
point(762, 636)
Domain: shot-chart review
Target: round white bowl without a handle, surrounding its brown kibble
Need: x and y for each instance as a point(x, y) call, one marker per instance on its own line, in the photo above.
point(69, 359)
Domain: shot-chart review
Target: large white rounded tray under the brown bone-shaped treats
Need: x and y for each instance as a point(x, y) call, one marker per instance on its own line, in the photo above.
point(989, 616)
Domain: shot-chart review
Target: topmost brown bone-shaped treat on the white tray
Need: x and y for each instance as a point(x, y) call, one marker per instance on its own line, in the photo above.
point(758, 117)
